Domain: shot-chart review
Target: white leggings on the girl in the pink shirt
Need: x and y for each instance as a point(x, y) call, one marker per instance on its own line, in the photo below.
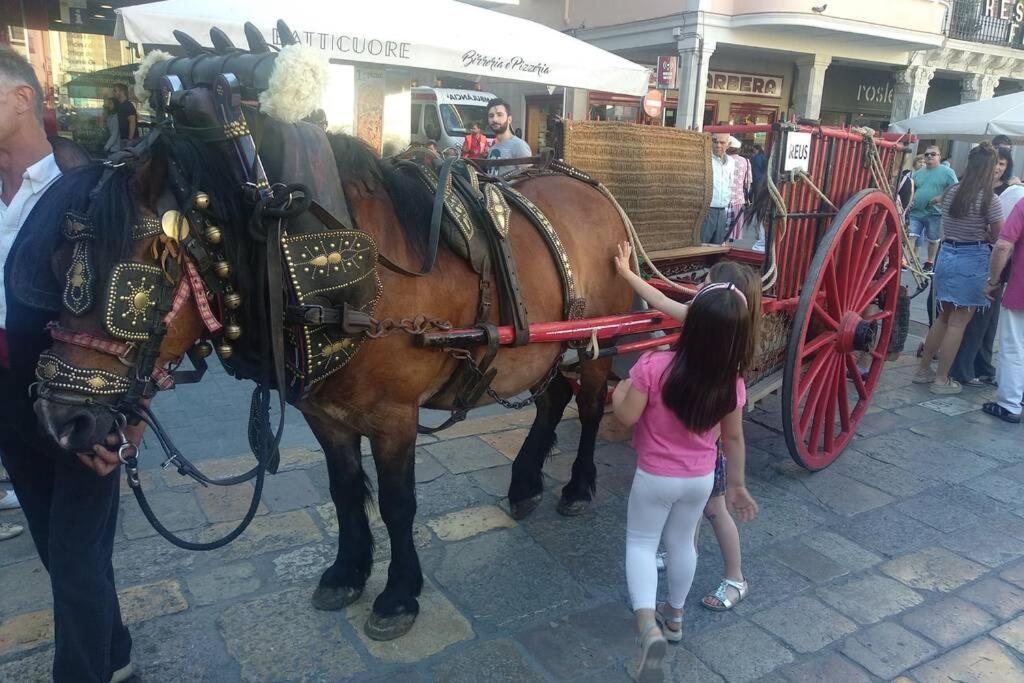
point(672, 505)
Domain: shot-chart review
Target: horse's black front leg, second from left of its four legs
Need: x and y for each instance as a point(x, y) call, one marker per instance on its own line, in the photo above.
point(397, 608)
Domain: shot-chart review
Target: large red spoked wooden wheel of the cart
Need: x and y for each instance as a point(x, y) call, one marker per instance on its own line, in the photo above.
point(841, 330)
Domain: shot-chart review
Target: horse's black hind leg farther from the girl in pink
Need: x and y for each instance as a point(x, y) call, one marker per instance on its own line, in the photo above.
point(527, 487)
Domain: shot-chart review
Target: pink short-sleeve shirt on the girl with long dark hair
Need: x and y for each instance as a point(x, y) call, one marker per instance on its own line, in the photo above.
point(664, 445)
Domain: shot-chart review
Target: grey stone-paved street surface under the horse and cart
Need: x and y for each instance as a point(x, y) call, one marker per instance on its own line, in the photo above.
point(906, 559)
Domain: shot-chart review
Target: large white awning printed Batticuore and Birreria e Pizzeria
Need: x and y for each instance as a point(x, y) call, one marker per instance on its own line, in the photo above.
point(440, 35)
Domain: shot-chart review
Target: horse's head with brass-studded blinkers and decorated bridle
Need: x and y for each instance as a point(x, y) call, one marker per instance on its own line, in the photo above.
point(156, 257)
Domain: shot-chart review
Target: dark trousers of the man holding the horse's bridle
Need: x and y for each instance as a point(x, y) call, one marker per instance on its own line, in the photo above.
point(72, 515)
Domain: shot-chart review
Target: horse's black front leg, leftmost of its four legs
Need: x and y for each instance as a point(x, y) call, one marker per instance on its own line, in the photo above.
point(343, 583)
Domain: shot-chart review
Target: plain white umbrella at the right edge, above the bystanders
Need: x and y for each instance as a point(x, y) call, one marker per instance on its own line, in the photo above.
point(973, 122)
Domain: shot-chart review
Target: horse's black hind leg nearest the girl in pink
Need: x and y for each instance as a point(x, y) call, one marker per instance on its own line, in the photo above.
point(578, 494)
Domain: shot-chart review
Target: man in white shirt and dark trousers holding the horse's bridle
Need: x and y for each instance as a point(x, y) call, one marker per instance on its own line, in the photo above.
point(70, 507)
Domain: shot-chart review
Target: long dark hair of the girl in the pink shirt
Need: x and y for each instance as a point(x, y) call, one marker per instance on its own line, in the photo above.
point(701, 385)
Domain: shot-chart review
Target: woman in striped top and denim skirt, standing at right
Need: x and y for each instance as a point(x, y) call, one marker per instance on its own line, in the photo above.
point(972, 219)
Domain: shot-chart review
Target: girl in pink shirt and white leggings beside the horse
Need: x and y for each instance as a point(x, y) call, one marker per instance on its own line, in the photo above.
point(681, 403)
